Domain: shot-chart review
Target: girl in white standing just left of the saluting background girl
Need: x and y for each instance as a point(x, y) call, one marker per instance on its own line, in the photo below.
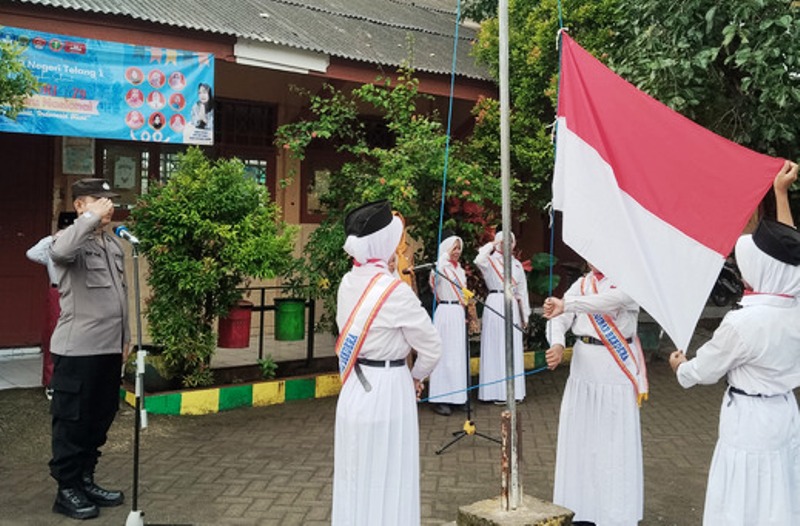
point(449, 378)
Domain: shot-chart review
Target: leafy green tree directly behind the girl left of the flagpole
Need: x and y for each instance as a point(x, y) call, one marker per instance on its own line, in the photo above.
point(407, 168)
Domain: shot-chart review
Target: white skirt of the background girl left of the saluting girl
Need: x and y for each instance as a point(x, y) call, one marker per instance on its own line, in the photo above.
point(450, 374)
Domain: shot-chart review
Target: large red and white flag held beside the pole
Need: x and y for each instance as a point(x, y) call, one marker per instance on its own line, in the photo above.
point(653, 200)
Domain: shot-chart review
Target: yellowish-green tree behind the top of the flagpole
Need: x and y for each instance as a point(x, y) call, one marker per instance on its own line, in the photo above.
point(533, 62)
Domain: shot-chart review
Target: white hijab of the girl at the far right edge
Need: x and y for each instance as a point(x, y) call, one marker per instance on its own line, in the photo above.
point(764, 273)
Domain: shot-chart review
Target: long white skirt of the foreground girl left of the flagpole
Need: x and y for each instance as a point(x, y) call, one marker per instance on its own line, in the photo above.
point(376, 451)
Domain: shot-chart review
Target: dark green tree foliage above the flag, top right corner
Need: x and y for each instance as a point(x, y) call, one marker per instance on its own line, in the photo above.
point(733, 67)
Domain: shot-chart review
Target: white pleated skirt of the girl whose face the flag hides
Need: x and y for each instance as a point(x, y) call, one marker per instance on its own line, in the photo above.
point(599, 473)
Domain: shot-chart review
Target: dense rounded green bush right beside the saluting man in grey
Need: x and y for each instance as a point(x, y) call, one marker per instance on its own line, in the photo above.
point(204, 232)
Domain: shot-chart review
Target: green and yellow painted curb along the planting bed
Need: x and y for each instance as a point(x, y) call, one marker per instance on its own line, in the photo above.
point(206, 401)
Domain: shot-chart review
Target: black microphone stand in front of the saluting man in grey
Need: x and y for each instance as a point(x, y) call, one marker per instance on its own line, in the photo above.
point(136, 516)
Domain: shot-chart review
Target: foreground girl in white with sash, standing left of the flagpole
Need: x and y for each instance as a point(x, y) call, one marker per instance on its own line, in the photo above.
point(376, 449)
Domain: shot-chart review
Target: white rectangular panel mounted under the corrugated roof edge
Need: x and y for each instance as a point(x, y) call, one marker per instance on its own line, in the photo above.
point(272, 56)
